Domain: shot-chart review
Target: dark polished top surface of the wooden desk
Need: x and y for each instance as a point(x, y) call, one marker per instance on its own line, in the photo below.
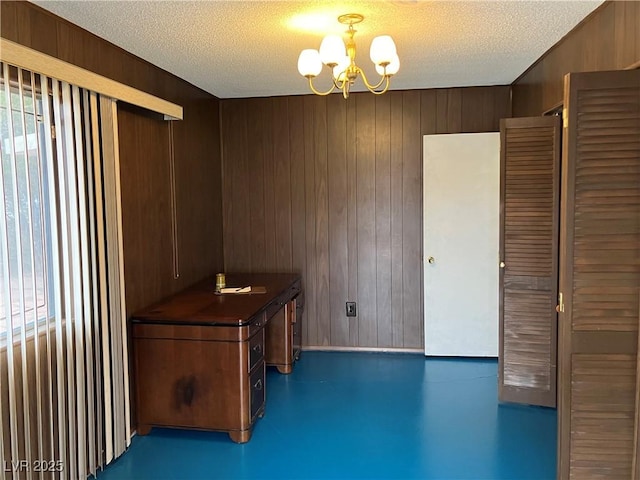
point(200, 305)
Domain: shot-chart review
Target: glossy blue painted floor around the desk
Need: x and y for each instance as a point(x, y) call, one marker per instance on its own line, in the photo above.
point(365, 416)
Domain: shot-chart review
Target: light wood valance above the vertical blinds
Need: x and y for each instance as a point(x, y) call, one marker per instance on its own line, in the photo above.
point(27, 58)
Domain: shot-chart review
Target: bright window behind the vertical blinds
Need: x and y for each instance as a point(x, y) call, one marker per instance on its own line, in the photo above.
point(25, 230)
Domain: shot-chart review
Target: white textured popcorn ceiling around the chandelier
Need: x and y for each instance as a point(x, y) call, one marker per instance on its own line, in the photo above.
point(250, 48)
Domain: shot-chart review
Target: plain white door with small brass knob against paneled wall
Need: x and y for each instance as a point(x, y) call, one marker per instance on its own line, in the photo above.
point(461, 233)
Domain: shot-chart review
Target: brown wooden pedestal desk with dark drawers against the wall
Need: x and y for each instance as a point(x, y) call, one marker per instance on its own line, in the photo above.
point(199, 358)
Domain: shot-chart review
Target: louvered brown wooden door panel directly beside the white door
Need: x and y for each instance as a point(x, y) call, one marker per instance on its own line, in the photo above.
point(529, 192)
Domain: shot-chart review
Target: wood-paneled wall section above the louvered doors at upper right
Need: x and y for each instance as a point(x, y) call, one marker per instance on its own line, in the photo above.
point(609, 39)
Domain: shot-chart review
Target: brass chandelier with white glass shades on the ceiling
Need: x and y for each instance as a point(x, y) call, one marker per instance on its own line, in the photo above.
point(341, 60)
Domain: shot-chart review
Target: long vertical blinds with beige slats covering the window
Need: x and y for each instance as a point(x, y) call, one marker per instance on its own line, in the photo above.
point(64, 392)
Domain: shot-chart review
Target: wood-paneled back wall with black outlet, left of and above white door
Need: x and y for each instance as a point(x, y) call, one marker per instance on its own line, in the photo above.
point(332, 188)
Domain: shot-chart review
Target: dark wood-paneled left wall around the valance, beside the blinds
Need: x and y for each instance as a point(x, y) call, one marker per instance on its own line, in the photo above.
point(144, 157)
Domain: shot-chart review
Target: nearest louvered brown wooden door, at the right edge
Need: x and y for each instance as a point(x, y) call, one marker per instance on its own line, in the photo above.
point(599, 276)
